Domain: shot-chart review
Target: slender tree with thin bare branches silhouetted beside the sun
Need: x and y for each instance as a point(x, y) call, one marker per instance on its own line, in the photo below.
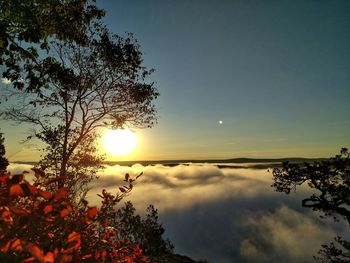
point(100, 82)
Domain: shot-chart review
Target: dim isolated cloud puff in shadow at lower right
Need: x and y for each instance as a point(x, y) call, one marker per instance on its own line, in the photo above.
point(283, 236)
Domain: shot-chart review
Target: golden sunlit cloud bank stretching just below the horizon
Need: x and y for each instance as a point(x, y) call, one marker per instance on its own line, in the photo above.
point(183, 186)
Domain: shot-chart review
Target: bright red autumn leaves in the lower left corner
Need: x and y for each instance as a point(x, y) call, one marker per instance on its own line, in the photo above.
point(37, 225)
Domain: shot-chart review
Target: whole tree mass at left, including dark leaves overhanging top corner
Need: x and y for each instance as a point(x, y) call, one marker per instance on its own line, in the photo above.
point(84, 80)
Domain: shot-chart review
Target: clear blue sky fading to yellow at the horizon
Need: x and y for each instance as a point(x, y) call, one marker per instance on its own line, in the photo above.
point(275, 73)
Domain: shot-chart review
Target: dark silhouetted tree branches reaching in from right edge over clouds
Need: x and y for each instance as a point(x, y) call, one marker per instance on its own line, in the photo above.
point(330, 182)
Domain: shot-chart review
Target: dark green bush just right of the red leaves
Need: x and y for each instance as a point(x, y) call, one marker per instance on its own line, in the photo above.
point(146, 232)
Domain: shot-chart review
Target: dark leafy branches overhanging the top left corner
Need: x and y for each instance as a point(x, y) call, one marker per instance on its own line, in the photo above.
point(26, 26)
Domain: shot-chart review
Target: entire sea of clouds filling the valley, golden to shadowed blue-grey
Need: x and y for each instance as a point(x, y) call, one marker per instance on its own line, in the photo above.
point(223, 215)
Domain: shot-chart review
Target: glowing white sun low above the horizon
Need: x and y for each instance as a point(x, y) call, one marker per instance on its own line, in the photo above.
point(119, 142)
